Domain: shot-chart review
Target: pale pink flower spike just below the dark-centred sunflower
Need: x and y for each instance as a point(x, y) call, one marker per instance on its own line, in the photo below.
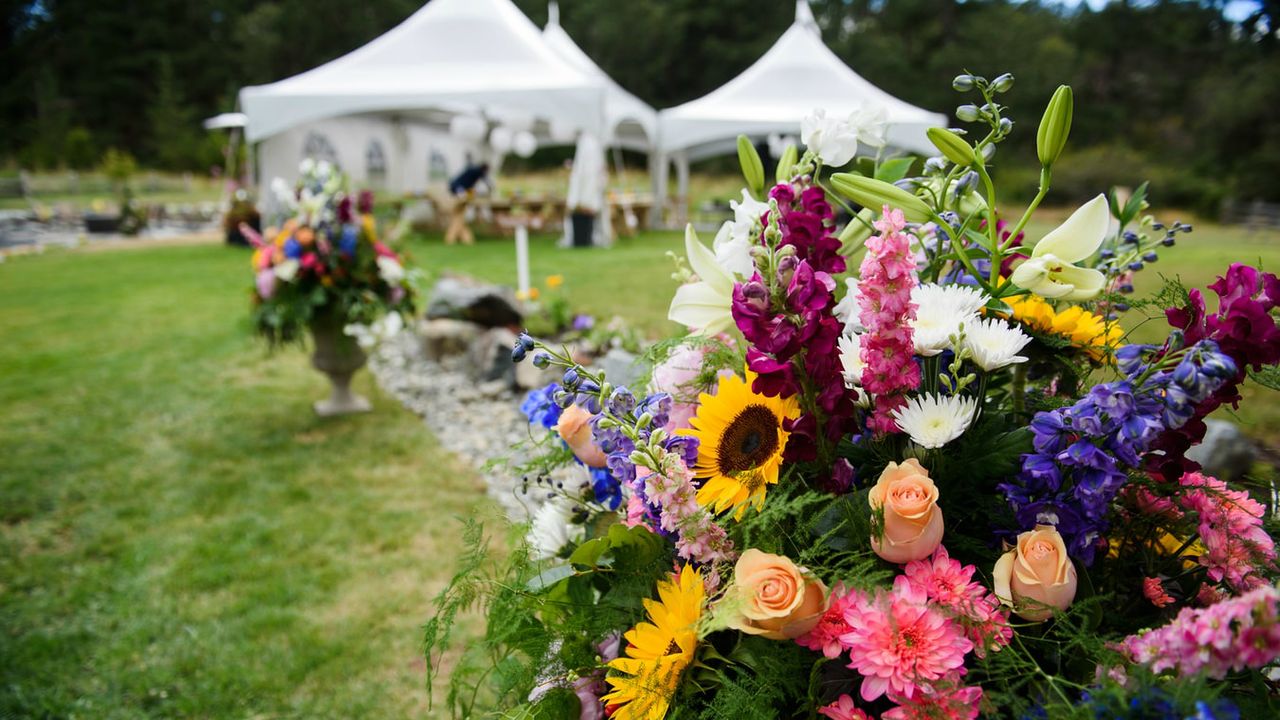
point(671, 489)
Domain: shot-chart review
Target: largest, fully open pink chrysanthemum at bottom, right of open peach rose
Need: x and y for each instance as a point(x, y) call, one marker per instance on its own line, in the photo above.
point(902, 645)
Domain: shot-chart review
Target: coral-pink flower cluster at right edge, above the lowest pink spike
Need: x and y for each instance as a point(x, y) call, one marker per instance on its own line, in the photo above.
point(1231, 527)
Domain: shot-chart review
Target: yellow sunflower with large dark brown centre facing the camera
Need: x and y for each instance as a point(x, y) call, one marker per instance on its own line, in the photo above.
point(740, 443)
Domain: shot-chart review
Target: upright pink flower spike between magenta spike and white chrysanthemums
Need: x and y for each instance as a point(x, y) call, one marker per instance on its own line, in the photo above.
point(888, 276)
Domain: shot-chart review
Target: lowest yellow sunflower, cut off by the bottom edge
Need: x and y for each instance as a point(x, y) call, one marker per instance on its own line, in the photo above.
point(657, 653)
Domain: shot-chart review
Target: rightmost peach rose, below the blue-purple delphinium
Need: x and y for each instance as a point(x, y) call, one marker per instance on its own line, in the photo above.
point(1037, 572)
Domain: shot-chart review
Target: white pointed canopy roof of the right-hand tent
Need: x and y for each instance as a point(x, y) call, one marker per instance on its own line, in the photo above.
point(798, 75)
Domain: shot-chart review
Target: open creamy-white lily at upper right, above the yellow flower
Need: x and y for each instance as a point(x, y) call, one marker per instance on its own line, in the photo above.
point(1050, 272)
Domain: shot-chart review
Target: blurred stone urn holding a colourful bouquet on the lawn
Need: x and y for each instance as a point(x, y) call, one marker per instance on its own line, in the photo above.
point(326, 271)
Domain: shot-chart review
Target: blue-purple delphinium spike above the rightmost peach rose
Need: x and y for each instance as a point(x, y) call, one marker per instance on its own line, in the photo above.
point(1084, 454)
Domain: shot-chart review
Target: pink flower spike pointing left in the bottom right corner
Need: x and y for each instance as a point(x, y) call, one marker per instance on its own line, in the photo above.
point(1233, 635)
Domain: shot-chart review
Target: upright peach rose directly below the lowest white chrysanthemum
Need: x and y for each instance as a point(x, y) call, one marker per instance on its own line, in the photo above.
point(913, 521)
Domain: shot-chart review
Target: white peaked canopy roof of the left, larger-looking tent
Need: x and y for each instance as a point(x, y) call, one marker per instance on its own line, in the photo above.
point(459, 56)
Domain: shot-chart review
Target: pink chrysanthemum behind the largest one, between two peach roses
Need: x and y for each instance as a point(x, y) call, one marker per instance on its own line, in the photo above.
point(950, 586)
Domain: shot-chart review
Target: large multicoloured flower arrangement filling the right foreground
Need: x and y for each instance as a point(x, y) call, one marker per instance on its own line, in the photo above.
point(948, 486)
